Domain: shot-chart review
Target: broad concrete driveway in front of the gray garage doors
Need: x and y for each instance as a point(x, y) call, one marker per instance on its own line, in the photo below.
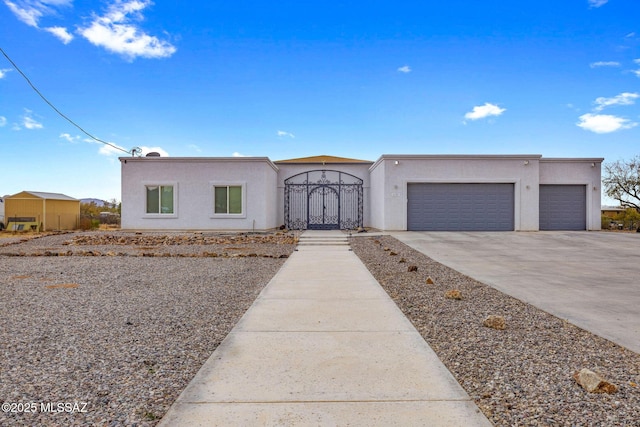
point(592, 279)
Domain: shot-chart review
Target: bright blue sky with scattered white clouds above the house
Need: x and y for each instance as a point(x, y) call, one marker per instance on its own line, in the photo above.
point(293, 78)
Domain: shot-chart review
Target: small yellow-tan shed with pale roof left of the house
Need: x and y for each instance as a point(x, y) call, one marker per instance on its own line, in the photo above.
point(41, 211)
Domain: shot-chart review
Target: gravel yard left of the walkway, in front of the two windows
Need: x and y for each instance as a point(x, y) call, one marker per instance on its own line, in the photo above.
point(120, 322)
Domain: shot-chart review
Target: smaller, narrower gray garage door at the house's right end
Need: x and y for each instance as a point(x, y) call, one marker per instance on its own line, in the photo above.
point(563, 207)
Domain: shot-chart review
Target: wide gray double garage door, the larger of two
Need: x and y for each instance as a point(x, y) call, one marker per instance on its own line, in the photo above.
point(460, 207)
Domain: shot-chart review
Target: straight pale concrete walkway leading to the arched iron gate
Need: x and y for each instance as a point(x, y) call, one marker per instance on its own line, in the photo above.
point(323, 345)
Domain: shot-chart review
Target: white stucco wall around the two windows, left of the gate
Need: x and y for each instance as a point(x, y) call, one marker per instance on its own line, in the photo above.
point(193, 180)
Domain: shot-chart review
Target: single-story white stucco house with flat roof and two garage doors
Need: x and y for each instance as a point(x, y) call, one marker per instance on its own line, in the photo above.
point(396, 192)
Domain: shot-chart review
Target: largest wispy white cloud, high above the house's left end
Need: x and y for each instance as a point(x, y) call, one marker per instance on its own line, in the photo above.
point(115, 32)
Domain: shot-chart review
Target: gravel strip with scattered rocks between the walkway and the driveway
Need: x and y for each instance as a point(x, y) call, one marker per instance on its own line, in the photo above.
point(519, 376)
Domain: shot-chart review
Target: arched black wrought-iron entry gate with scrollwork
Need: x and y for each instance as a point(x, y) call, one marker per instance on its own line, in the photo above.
point(323, 200)
